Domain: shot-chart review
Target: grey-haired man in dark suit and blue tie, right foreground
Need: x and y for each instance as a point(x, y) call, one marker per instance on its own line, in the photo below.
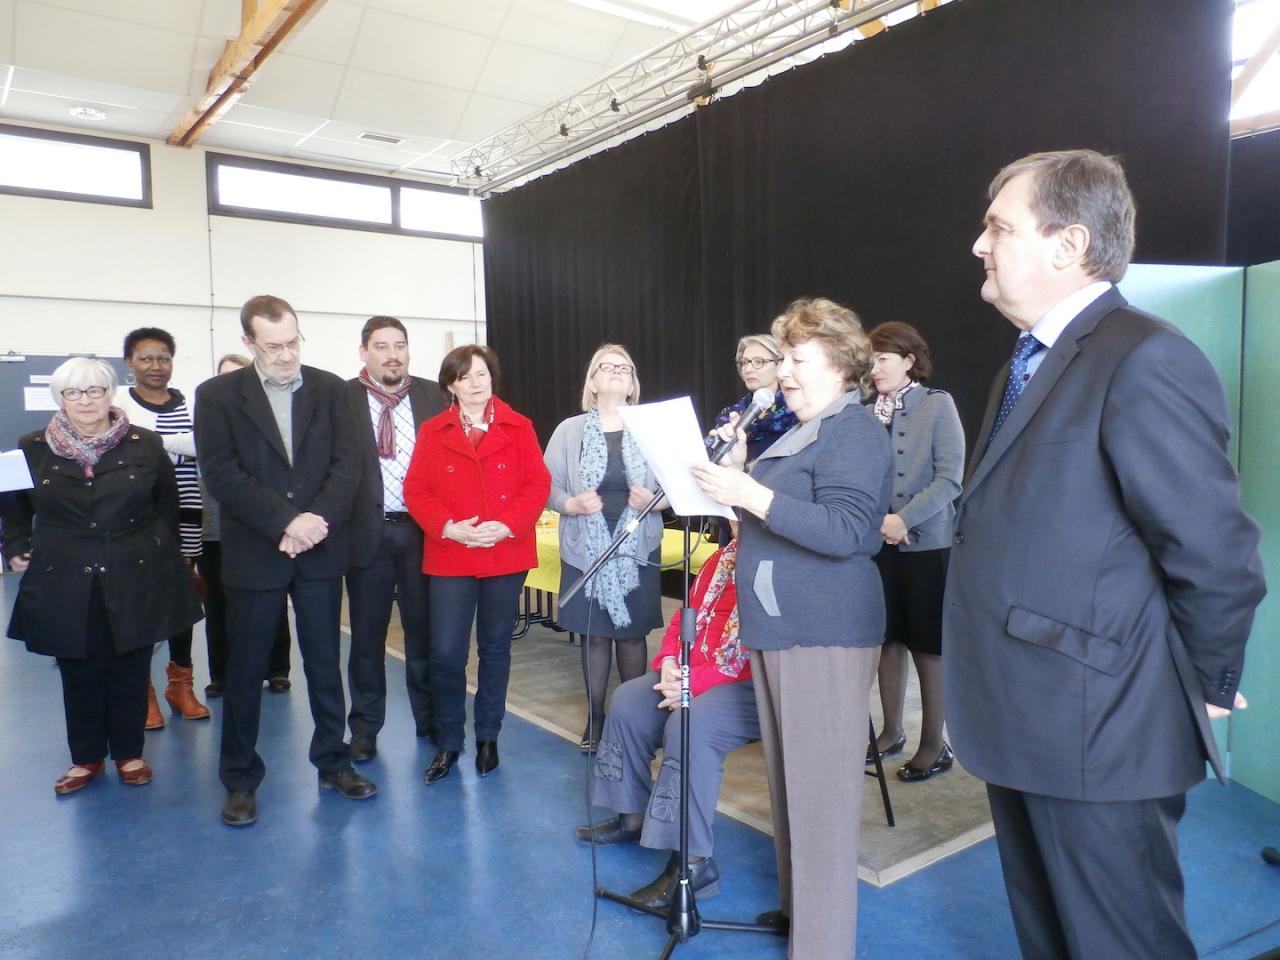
point(1103, 580)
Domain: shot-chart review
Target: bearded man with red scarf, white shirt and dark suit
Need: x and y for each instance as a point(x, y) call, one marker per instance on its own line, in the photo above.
point(386, 543)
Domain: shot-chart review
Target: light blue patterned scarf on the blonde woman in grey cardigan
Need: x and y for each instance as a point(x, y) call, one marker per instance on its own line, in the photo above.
point(621, 575)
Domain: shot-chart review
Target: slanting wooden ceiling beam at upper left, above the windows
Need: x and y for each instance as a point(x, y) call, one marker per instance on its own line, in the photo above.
point(266, 25)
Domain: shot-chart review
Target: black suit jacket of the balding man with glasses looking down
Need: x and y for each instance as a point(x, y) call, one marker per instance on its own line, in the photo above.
point(246, 470)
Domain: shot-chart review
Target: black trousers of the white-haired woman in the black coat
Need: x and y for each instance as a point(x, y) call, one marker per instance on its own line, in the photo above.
point(106, 693)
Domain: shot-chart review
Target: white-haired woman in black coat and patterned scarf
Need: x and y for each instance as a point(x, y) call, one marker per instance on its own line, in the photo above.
point(98, 538)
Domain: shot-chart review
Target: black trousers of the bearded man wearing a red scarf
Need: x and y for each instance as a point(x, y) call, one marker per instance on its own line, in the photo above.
point(396, 575)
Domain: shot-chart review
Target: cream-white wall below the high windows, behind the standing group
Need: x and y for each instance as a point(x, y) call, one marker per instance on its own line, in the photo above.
point(75, 278)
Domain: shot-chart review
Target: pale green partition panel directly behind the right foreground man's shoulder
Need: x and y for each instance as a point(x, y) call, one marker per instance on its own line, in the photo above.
point(1206, 304)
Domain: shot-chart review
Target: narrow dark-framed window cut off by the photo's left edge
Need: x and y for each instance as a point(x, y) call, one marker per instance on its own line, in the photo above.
point(74, 167)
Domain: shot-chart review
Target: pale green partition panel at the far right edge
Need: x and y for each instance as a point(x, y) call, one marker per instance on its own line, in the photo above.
point(1256, 732)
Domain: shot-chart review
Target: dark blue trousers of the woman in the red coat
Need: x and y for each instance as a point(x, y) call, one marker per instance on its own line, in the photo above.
point(456, 602)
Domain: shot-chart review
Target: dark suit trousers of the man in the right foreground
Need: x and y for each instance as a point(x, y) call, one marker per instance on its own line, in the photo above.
point(1090, 880)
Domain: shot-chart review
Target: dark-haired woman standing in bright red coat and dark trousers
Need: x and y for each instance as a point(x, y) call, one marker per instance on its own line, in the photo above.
point(477, 486)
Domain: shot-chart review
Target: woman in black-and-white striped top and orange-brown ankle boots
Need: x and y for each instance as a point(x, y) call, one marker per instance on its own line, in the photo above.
point(150, 403)
